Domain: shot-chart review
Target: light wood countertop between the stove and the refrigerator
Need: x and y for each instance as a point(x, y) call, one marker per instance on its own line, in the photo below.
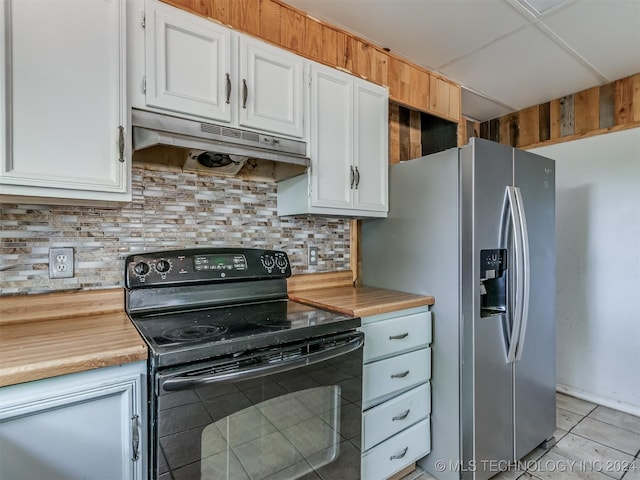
point(360, 301)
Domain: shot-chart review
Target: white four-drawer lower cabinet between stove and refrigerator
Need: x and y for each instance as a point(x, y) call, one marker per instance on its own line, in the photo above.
point(396, 391)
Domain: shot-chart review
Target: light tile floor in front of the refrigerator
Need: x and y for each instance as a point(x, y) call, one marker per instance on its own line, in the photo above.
point(593, 443)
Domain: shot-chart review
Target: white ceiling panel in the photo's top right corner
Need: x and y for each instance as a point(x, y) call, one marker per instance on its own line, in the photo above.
point(607, 34)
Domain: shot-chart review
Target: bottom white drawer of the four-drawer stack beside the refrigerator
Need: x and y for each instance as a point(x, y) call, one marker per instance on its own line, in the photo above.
point(396, 453)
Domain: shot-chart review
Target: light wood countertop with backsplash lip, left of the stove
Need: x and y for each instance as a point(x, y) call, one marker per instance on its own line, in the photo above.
point(54, 334)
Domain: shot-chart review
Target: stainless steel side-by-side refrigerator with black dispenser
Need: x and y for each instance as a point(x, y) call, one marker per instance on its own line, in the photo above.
point(475, 227)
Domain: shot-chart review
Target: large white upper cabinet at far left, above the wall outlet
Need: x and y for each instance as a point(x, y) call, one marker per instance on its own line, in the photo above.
point(63, 103)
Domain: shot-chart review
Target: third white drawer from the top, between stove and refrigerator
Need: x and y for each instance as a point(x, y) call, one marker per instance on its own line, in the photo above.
point(393, 416)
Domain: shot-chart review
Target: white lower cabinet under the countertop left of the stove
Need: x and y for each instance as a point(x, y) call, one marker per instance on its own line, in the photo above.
point(83, 425)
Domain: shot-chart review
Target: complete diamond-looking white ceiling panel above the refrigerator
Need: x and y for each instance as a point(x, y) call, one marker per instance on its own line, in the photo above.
point(505, 68)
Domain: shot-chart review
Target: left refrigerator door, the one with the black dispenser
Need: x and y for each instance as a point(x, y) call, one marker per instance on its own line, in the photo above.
point(487, 376)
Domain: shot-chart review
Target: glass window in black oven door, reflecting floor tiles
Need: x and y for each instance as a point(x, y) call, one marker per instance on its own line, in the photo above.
point(290, 435)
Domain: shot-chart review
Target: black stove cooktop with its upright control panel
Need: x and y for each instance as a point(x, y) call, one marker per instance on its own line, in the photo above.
point(197, 304)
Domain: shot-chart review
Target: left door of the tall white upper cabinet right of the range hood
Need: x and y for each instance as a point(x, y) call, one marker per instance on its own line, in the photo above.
point(331, 138)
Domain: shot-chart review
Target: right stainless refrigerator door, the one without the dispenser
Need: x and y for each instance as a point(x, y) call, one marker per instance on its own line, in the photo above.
point(535, 374)
